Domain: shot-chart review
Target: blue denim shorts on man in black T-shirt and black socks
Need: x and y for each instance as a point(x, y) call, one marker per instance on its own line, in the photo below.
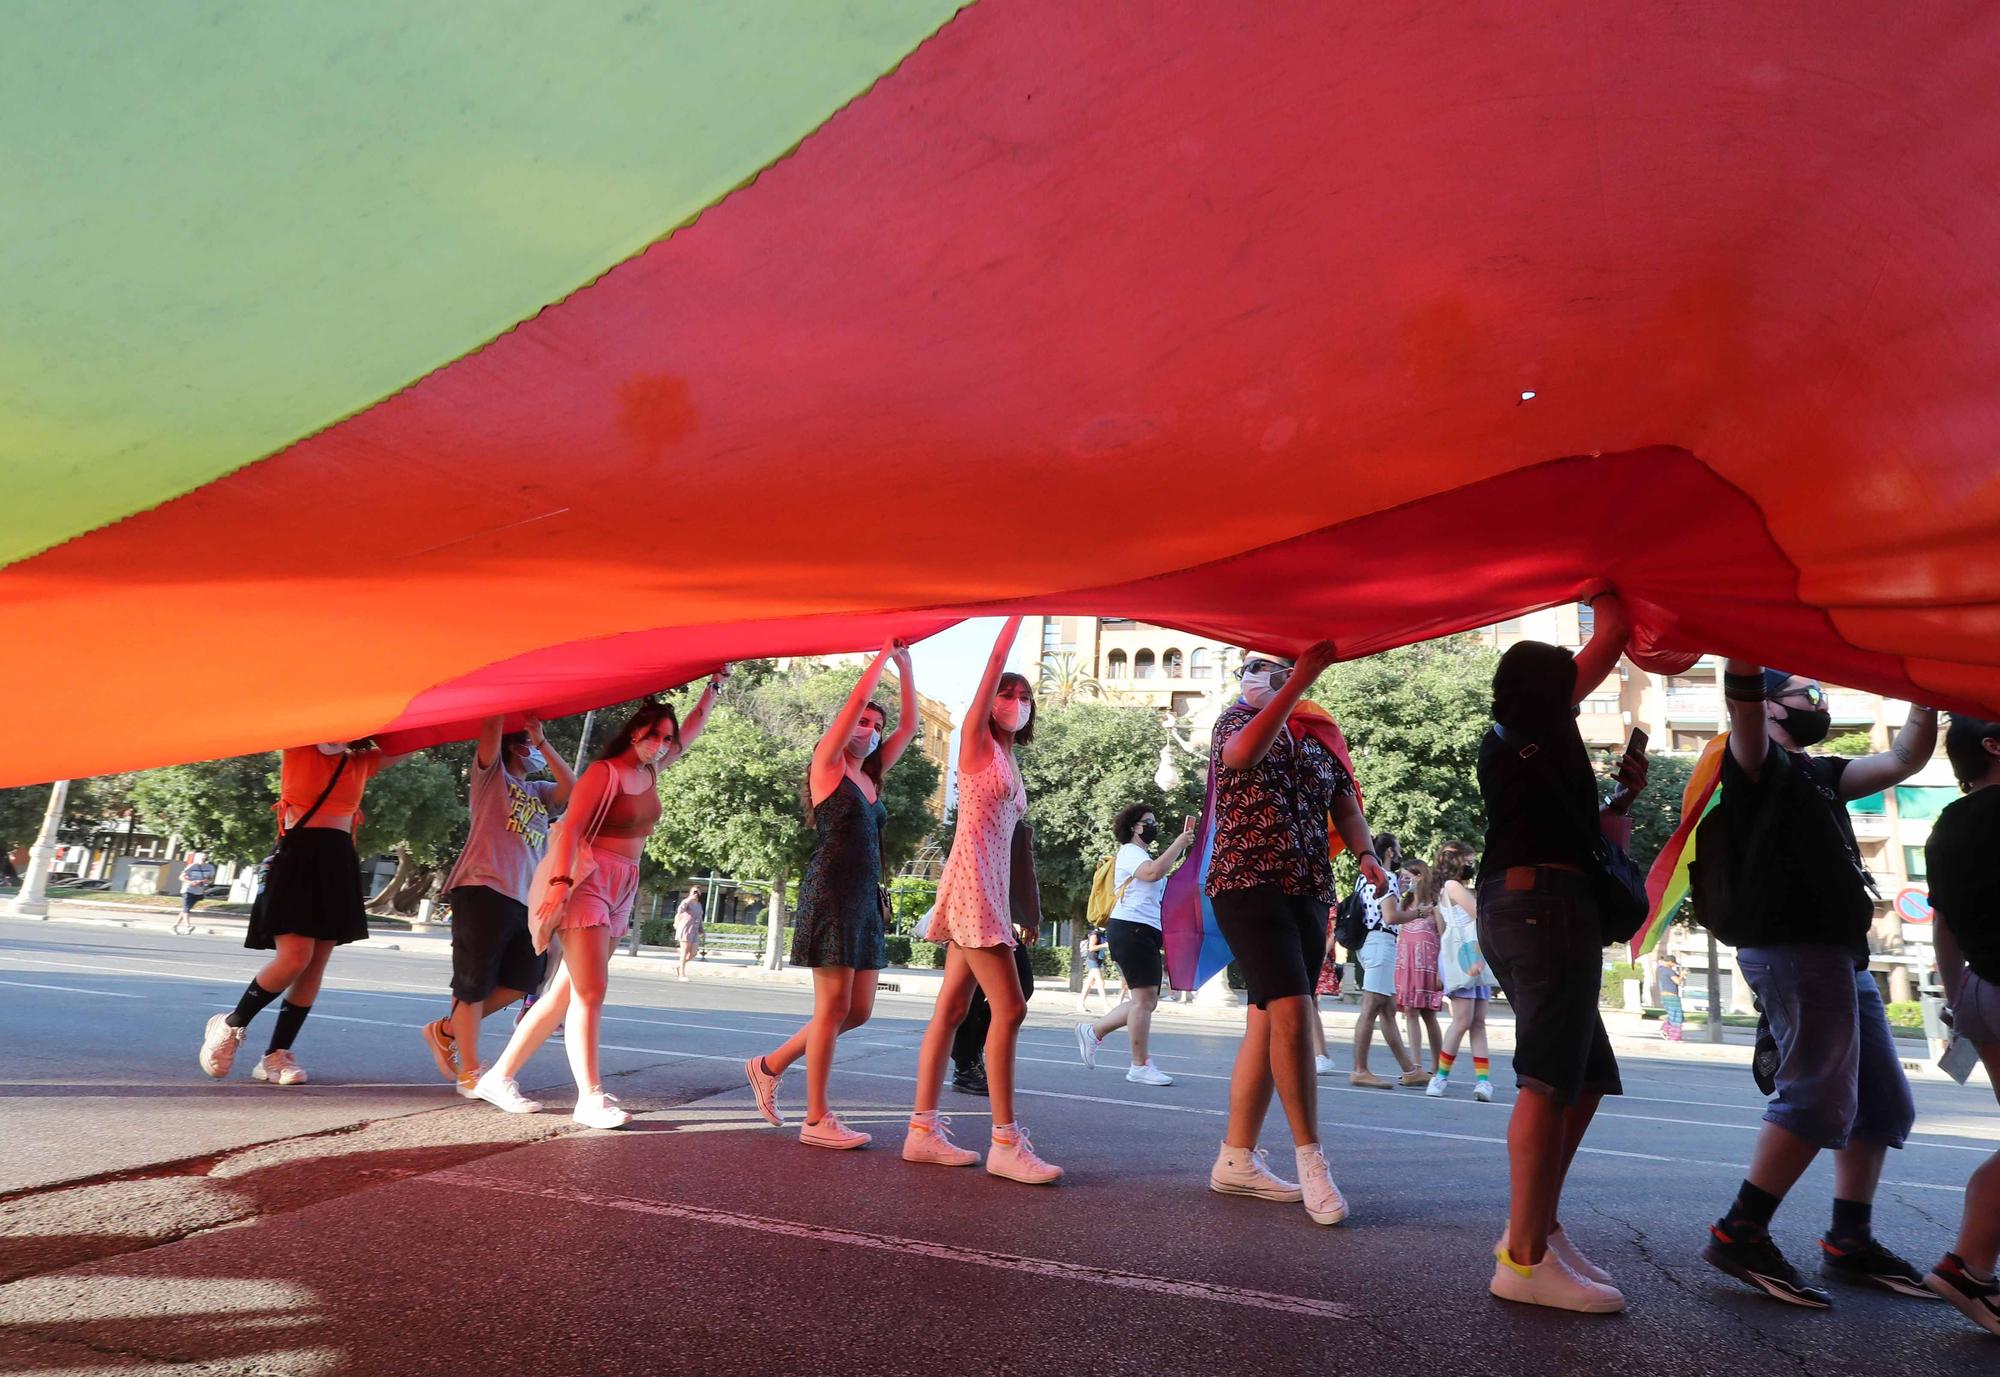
point(1839, 1072)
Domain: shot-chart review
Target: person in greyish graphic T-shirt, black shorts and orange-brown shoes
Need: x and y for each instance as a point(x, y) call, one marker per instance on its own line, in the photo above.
point(495, 962)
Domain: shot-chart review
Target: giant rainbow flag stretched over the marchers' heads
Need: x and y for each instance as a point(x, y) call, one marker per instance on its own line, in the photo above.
point(375, 367)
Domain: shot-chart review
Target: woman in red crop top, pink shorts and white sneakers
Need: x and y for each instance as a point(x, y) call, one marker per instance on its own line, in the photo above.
point(621, 790)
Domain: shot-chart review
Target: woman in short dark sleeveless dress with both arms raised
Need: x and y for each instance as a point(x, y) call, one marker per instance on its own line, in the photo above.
point(839, 924)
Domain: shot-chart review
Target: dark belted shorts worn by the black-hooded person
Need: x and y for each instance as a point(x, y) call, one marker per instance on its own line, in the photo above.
point(1543, 942)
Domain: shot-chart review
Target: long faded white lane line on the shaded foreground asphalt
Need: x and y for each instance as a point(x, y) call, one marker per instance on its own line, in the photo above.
point(917, 1248)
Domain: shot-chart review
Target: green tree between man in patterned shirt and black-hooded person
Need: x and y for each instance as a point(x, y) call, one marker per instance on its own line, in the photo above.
point(1413, 720)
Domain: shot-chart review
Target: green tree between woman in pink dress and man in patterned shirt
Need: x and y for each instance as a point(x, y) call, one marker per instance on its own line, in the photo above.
point(1089, 762)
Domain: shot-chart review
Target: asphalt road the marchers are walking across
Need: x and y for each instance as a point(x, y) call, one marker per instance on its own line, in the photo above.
point(375, 1224)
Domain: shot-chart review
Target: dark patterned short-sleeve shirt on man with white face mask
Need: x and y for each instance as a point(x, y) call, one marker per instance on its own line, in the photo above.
point(1271, 820)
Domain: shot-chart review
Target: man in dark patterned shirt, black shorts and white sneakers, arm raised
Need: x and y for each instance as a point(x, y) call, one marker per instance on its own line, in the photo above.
point(1279, 794)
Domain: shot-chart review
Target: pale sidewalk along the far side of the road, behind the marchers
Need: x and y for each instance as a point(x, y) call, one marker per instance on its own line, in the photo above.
point(1631, 1034)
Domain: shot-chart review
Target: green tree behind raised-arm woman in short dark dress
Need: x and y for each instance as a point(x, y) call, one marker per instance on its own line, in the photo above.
point(735, 804)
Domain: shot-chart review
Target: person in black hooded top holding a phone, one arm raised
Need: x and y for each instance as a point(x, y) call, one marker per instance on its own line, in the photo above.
point(1541, 932)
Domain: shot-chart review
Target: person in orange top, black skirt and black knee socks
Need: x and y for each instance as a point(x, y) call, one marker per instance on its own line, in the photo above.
point(309, 906)
